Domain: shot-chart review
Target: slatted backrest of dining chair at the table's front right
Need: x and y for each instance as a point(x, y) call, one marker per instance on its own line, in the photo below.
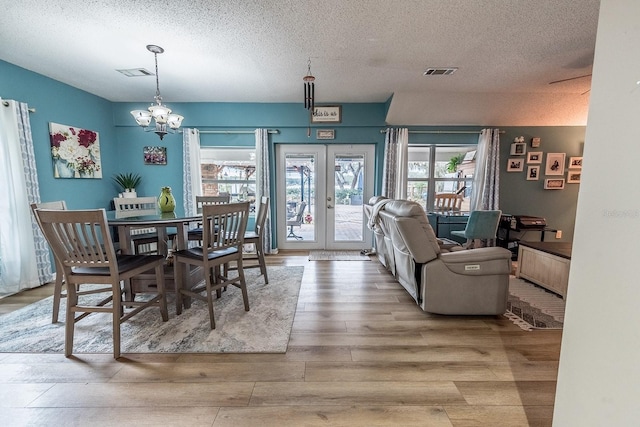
point(223, 225)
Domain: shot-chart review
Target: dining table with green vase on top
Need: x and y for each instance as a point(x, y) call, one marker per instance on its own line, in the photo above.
point(161, 221)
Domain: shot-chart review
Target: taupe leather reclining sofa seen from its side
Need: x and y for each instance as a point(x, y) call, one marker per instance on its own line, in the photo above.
point(464, 282)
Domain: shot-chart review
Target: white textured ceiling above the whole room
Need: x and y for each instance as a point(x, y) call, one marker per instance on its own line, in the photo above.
point(507, 52)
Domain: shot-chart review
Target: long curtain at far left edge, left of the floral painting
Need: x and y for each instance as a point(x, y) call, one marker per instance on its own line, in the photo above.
point(24, 254)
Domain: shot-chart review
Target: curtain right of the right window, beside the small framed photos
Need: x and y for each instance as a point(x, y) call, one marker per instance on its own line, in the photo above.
point(486, 178)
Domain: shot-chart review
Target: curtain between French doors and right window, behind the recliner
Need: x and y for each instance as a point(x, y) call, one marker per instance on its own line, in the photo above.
point(396, 163)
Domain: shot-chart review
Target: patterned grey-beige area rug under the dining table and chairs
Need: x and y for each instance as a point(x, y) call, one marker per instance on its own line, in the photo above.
point(263, 329)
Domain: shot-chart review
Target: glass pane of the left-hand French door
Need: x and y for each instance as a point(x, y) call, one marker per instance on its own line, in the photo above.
point(300, 199)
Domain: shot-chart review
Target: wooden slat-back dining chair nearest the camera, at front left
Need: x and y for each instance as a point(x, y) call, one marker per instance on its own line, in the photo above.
point(82, 245)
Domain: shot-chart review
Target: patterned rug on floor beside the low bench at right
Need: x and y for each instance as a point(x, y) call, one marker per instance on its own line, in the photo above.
point(532, 307)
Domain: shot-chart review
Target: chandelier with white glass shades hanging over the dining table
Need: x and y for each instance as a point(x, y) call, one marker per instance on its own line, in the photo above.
point(165, 122)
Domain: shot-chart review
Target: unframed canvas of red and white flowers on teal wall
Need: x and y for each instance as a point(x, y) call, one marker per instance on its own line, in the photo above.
point(75, 152)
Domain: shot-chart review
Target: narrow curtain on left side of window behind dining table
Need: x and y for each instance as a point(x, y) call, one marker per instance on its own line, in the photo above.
point(192, 173)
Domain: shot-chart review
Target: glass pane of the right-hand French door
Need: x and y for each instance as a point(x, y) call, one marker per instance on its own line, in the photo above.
point(348, 193)
